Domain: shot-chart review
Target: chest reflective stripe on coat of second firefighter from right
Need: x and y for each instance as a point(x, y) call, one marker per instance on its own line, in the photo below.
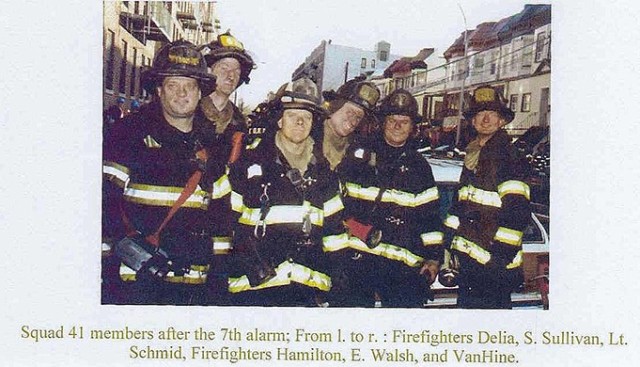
point(392, 195)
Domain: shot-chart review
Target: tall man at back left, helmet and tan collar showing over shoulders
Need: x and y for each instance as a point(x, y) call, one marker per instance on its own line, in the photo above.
point(231, 64)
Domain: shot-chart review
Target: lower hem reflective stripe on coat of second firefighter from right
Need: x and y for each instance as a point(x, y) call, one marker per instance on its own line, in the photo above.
point(385, 250)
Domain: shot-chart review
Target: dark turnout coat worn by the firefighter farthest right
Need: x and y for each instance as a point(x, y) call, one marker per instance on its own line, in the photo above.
point(488, 218)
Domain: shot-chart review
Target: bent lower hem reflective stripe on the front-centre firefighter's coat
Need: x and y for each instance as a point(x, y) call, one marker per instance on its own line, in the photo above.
point(286, 273)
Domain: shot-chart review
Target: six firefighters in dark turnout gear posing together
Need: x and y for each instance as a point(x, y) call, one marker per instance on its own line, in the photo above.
point(309, 213)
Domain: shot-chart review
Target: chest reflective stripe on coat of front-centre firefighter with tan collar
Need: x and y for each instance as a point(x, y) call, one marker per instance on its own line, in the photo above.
point(279, 214)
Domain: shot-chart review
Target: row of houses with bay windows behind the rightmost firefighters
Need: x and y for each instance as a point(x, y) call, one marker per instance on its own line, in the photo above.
point(512, 54)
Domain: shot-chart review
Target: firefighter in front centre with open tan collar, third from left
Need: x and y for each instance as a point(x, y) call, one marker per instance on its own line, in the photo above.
point(288, 204)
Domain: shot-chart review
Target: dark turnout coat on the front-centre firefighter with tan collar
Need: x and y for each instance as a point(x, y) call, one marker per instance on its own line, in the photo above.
point(286, 219)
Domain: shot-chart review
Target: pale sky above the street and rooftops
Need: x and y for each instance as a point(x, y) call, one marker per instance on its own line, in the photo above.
point(281, 34)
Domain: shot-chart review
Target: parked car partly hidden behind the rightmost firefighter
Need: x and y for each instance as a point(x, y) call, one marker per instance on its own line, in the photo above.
point(535, 243)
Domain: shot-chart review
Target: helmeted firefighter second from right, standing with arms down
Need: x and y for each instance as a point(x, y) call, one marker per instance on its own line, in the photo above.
point(391, 211)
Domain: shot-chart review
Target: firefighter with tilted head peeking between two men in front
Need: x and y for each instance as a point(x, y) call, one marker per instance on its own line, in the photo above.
point(349, 107)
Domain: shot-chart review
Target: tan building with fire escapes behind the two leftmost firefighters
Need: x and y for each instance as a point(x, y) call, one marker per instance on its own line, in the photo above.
point(134, 30)
